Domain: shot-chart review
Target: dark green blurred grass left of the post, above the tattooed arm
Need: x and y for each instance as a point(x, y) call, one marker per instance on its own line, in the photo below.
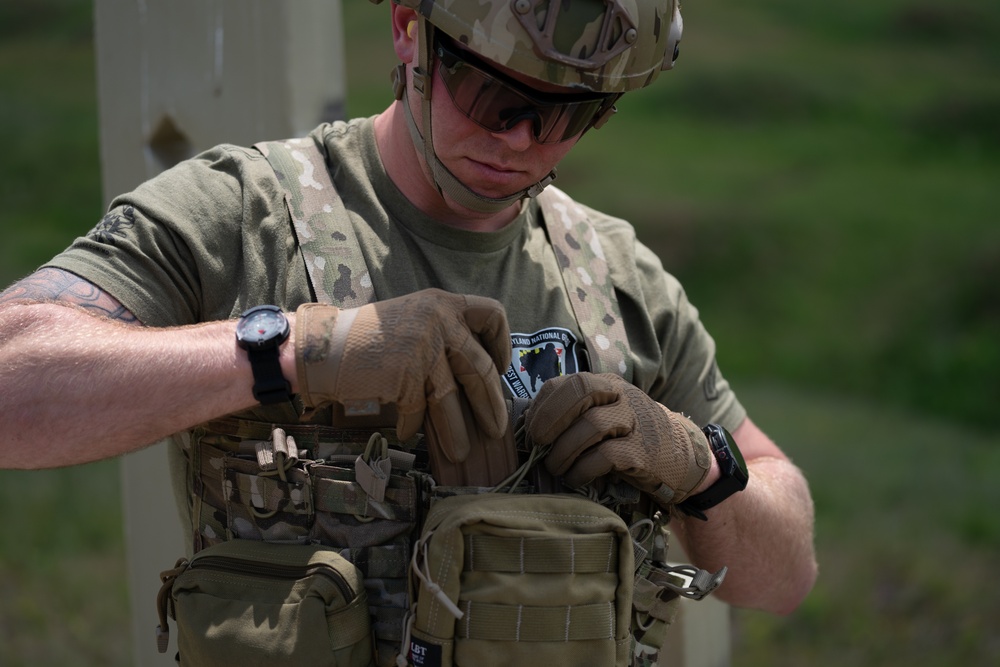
point(50, 181)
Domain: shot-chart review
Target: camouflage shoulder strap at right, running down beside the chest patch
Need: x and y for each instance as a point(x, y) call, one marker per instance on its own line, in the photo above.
point(588, 283)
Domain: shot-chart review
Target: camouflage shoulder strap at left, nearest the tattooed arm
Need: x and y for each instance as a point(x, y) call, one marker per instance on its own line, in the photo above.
point(321, 224)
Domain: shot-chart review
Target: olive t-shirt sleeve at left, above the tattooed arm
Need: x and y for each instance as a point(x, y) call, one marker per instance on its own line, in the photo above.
point(182, 247)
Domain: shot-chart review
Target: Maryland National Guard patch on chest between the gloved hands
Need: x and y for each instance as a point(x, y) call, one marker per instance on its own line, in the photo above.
point(539, 356)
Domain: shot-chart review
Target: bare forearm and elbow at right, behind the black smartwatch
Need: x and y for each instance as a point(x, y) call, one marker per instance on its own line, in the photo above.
point(764, 535)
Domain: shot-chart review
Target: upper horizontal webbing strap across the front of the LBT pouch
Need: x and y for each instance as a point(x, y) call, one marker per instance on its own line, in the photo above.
point(581, 554)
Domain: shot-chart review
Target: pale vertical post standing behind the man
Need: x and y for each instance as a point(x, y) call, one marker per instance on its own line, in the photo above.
point(174, 78)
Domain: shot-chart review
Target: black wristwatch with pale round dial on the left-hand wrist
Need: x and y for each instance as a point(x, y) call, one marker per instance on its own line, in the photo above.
point(260, 331)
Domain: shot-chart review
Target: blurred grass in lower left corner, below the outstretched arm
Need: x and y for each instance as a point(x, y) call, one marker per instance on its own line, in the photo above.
point(63, 591)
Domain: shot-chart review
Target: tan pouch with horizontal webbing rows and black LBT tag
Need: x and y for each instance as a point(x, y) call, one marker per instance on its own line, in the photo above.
point(521, 580)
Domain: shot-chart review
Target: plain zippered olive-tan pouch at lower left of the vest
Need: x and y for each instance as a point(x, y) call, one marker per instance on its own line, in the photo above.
point(252, 603)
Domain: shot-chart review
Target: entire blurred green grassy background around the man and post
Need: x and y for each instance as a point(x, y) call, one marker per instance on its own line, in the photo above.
point(823, 178)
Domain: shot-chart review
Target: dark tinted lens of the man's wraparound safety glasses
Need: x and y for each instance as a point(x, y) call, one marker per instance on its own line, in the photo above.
point(497, 107)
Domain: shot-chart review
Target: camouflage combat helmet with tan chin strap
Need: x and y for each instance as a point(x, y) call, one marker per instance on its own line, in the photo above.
point(608, 47)
